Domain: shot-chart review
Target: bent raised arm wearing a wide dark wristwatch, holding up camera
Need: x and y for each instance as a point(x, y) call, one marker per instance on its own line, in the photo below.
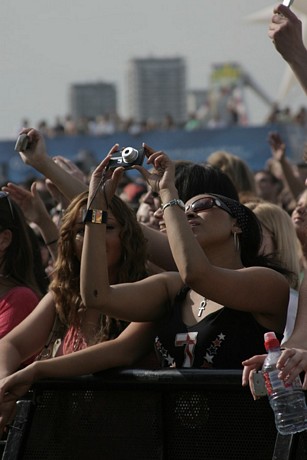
point(144, 300)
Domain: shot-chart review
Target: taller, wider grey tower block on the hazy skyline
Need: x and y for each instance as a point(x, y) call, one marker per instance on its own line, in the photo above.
point(156, 89)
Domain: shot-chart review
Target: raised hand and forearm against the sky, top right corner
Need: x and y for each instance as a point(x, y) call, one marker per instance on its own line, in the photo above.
point(285, 30)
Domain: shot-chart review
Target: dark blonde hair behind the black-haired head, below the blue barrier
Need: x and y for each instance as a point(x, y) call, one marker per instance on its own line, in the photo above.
point(235, 168)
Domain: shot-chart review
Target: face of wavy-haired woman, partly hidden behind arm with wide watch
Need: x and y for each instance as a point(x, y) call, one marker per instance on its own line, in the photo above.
point(113, 241)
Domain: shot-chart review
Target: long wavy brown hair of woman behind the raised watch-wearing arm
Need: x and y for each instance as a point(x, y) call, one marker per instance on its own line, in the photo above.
point(66, 278)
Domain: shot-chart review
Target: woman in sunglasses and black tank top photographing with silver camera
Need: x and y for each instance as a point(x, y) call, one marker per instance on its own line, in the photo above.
point(211, 314)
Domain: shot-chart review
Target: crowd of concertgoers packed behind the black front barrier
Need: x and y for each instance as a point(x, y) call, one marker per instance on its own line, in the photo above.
point(136, 277)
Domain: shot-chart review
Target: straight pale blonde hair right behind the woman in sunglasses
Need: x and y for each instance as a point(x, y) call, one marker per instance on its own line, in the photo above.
point(287, 246)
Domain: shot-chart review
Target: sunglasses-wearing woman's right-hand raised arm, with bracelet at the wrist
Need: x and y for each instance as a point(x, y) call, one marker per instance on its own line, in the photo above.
point(213, 277)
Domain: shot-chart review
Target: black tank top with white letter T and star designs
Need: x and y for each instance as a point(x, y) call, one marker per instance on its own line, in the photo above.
point(222, 340)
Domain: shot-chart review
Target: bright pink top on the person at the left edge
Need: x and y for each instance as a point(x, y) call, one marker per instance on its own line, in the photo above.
point(15, 305)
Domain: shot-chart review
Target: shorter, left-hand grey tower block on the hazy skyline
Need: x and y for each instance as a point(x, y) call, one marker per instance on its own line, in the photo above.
point(92, 99)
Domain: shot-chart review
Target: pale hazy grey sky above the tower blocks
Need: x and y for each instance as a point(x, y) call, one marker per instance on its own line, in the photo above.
point(45, 46)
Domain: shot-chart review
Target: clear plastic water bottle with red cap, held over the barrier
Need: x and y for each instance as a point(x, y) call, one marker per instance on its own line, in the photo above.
point(287, 400)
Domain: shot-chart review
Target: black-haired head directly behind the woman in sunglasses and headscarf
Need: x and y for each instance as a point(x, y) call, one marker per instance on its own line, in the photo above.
point(194, 179)
